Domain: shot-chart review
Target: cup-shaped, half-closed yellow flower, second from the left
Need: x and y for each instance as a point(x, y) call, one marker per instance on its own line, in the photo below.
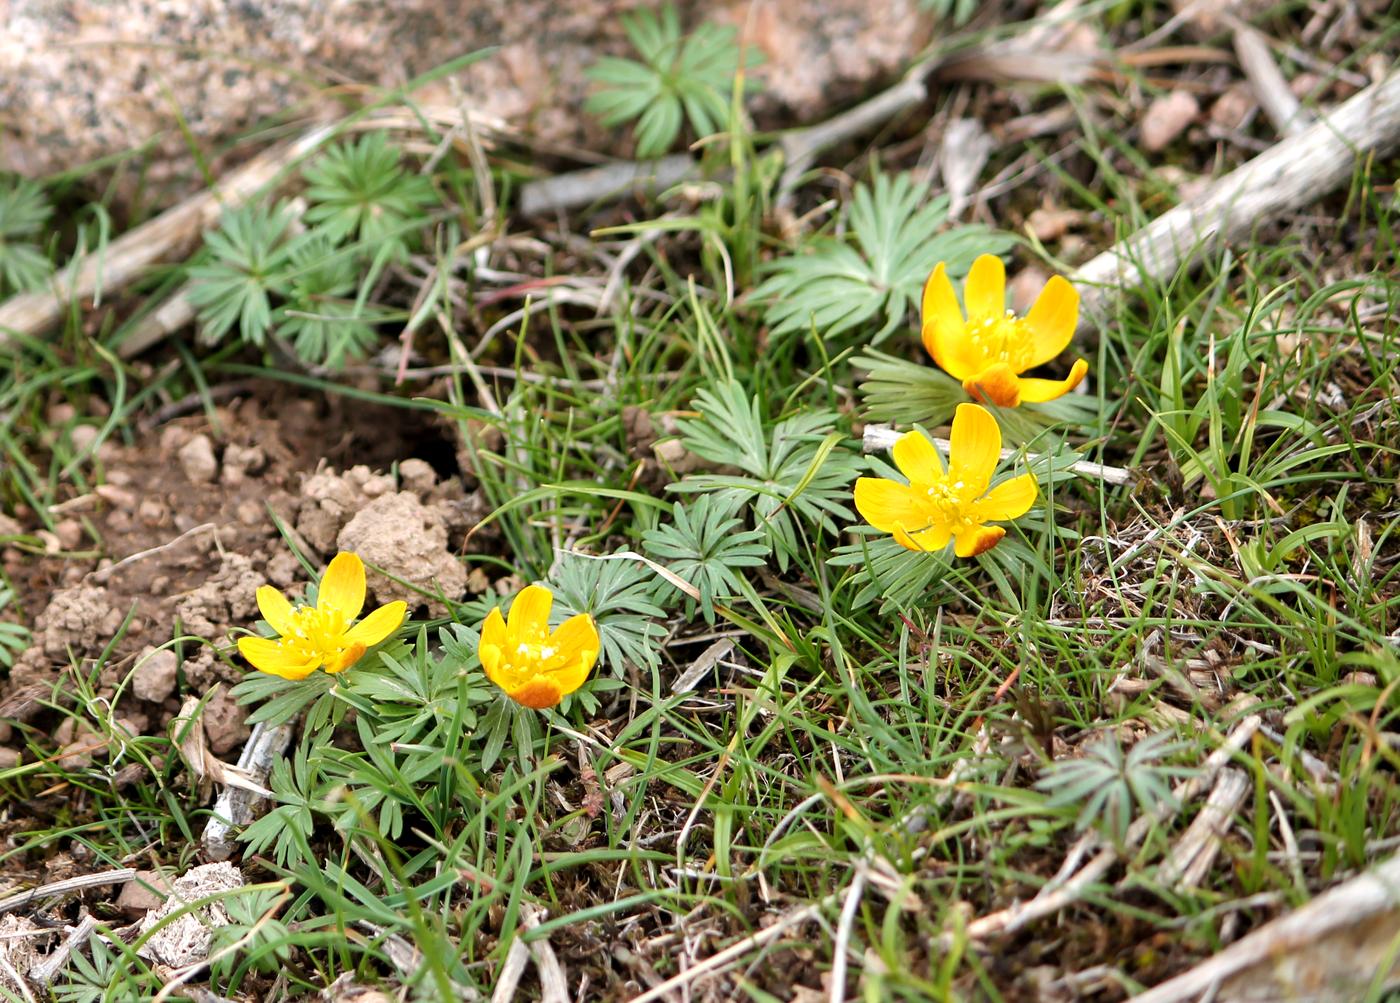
point(535, 666)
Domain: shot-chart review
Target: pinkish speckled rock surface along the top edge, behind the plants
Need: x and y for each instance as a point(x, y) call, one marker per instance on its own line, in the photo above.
point(83, 79)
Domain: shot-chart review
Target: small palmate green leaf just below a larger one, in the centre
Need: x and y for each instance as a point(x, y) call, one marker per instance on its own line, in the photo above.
point(705, 546)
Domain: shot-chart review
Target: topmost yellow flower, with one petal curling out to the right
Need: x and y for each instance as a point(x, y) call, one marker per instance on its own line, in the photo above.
point(993, 347)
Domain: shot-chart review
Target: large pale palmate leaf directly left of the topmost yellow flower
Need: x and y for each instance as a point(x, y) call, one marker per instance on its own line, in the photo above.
point(839, 288)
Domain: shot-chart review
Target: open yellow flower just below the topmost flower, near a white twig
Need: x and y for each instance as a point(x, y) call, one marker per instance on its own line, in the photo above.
point(939, 505)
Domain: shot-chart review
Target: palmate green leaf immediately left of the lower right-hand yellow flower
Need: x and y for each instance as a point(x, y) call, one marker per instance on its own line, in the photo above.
point(789, 473)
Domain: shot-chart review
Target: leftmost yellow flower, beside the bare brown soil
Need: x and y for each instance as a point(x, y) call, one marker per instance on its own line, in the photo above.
point(321, 637)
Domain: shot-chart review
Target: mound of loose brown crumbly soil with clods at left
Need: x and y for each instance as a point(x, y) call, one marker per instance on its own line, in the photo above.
point(188, 523)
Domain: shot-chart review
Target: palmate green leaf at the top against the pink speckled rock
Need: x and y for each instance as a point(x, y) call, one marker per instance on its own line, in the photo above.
point(678, 79)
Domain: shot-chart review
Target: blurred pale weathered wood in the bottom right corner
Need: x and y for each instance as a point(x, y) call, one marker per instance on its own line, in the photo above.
point(1329, 949)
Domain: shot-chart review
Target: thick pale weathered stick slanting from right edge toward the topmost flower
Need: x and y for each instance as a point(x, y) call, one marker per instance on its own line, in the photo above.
point(1291, 174)
